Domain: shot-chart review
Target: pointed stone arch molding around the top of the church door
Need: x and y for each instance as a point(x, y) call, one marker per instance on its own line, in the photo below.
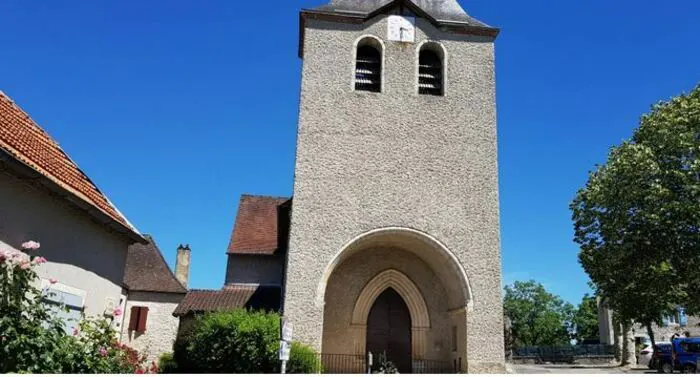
point(403, 286)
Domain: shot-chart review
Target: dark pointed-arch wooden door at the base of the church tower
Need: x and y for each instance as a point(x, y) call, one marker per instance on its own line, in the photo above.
point(389, 330)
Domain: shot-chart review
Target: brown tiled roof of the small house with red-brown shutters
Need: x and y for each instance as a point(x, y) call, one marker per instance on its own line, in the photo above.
point(146, 270)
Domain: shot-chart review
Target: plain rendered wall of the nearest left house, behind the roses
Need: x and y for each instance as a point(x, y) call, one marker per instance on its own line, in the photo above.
point(83, 256)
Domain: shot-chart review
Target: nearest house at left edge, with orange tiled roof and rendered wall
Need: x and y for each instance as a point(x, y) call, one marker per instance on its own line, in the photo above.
point(45, 197)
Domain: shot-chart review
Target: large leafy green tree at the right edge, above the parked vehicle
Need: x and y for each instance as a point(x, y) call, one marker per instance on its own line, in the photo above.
point(637, 220)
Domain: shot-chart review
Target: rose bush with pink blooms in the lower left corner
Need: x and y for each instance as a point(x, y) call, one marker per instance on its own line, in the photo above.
point(33, 340)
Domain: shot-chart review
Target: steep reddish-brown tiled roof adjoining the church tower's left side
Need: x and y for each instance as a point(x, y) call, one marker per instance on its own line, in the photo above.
point(259, 228)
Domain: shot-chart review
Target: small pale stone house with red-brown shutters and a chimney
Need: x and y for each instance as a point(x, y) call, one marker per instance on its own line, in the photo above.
point(154, 292)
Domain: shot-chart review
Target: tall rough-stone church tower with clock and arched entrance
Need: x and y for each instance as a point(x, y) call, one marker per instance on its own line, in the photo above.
point(394, 244)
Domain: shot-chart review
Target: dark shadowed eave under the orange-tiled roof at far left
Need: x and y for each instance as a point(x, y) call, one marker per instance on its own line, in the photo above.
point(22, 170)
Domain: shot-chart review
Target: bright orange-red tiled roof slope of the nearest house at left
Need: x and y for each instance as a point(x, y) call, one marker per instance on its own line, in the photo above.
point(23, 139)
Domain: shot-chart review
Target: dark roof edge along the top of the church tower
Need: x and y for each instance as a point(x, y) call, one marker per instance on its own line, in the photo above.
point(360, 17)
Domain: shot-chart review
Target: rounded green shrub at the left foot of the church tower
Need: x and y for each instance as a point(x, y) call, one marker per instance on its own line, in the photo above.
point(235, 341)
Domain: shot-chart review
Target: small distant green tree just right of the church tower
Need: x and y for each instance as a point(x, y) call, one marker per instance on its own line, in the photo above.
point(538, 318)
